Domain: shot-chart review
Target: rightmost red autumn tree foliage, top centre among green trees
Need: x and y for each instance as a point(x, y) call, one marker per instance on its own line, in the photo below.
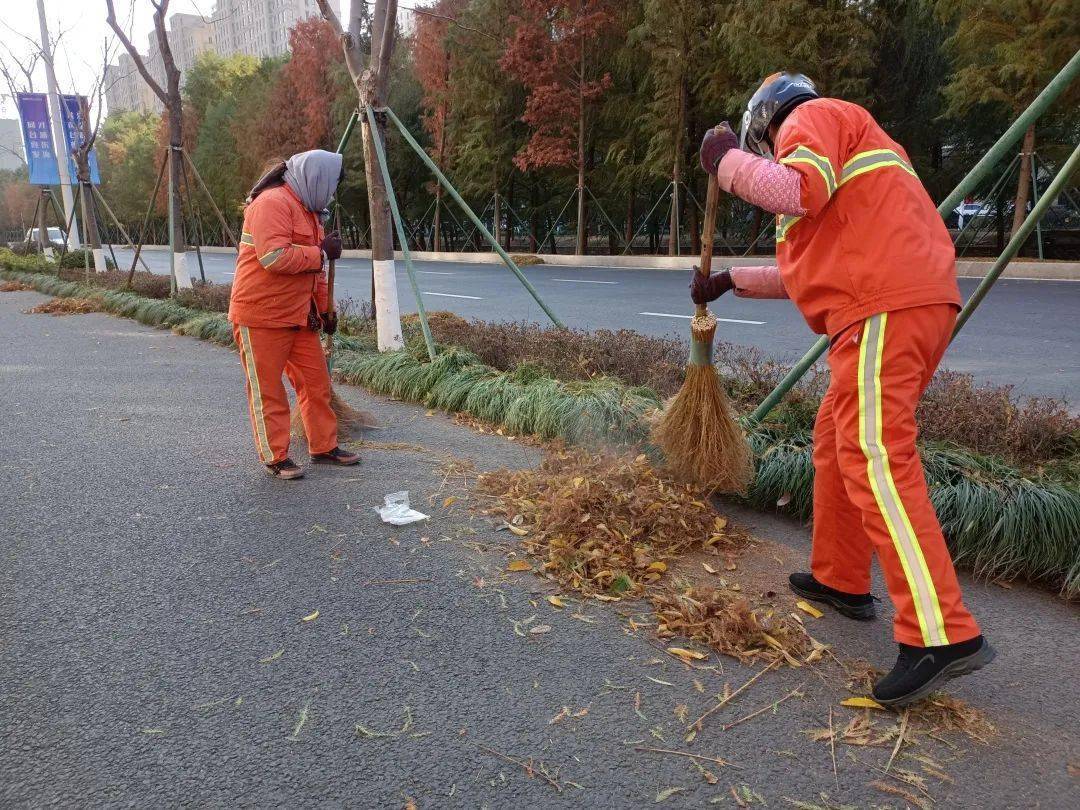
point(549, 53)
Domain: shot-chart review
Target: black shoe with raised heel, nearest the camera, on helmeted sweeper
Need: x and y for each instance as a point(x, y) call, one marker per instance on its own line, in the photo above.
point(920, 671)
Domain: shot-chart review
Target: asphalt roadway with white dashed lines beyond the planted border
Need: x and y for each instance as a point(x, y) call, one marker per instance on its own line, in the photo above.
point(1025, 334)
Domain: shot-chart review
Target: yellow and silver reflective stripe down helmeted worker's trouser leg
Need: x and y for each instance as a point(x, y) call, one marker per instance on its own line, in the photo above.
point(892, 508)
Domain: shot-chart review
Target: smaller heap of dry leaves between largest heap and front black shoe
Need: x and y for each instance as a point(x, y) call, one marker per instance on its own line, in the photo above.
point(726, 623)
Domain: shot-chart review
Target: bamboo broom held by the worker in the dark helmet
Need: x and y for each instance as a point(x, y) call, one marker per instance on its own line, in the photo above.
point(697, 433)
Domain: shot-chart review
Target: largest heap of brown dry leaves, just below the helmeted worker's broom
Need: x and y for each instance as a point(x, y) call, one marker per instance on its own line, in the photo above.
point(603, 524)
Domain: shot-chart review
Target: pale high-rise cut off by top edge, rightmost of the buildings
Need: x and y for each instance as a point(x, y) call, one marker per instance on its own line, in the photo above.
point(260, 28)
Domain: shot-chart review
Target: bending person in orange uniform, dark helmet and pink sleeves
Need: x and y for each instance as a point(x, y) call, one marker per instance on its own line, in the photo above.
point(865, 255)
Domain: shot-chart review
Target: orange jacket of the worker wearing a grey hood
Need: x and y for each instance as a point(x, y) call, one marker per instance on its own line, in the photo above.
point(280, 266)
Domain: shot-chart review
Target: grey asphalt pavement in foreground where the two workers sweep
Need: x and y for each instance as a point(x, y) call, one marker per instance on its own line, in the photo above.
point(153, 650)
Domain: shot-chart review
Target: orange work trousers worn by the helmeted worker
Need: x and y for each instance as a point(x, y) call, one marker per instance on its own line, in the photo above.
point(870, 490)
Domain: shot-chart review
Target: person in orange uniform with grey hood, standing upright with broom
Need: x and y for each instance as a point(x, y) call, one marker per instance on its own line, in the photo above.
point(279, 307)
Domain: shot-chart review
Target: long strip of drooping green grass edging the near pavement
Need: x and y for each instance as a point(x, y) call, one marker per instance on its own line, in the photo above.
point(1000, 523)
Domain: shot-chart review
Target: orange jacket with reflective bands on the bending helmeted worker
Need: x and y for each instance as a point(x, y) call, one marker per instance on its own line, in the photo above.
point(871, 240)
